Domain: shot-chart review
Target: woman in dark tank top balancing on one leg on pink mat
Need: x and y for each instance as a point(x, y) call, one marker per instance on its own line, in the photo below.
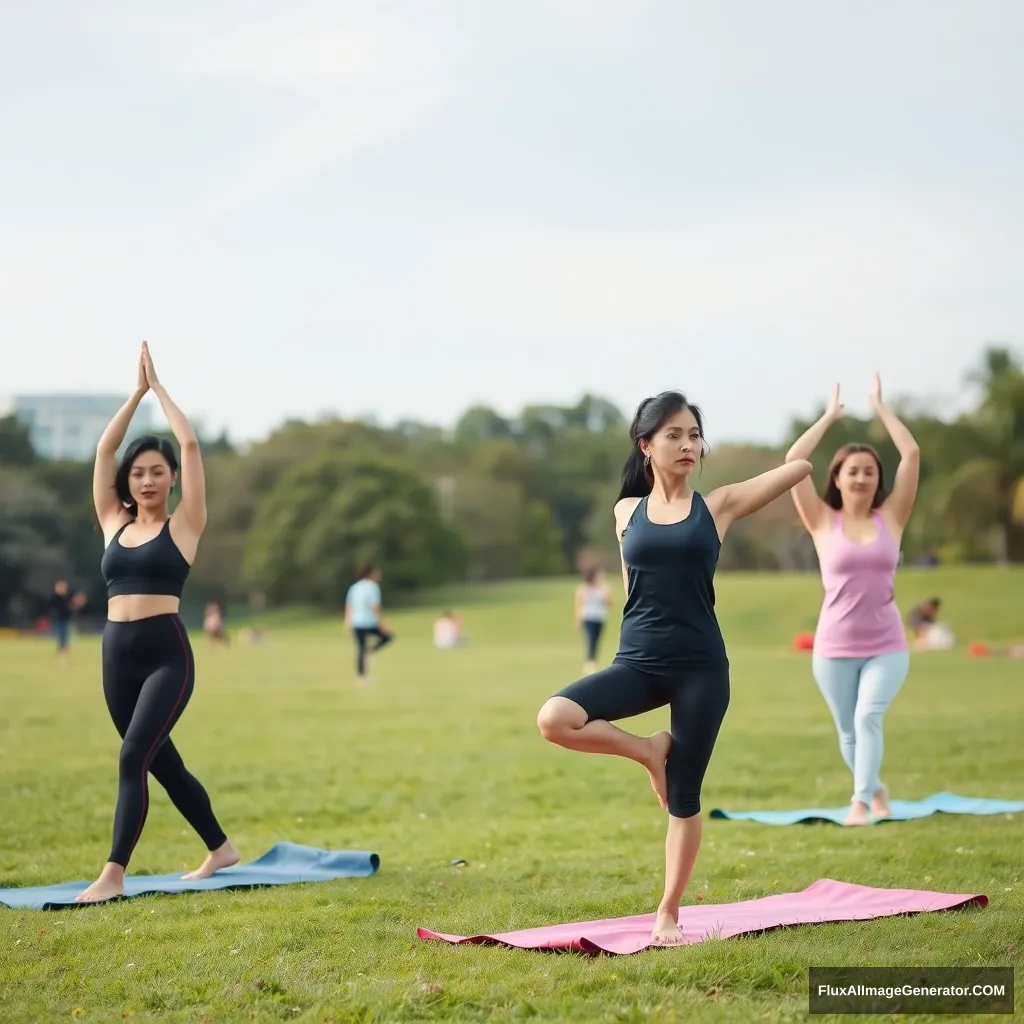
point(671, 651)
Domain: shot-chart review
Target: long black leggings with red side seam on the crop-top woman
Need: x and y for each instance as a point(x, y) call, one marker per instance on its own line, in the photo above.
point(149, 676)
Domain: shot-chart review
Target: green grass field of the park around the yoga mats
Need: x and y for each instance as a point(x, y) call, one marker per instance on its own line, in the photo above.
point(442, 760)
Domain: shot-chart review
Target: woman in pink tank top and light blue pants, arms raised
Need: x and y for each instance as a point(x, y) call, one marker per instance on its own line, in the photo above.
point(861, 655)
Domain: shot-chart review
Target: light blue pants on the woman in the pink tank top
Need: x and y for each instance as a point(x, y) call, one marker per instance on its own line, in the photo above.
point(859, 692)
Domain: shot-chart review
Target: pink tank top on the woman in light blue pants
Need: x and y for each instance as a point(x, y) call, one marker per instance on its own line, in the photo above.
point(860, 618)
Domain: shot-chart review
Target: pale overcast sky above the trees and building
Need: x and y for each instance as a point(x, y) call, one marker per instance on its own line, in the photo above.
point(404, 208)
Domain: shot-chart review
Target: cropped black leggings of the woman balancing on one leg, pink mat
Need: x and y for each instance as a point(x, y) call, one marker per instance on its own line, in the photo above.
point(699, 699)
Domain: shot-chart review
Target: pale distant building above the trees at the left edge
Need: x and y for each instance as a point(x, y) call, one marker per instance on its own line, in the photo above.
point(68, 426)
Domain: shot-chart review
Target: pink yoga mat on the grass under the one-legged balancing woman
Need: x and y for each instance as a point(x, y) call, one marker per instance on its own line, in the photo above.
point(825, 901)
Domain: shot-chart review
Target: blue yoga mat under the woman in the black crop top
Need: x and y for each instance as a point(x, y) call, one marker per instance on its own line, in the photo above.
point(281, 866)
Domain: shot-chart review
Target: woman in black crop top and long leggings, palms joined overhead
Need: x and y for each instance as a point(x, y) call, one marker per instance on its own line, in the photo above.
point(149, 673)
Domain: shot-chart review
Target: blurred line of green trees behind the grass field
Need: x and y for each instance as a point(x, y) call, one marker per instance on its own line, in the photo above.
point(292, 518)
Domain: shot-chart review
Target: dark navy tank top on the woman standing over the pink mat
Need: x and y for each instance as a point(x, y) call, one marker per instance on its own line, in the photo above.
point(669, 620)
